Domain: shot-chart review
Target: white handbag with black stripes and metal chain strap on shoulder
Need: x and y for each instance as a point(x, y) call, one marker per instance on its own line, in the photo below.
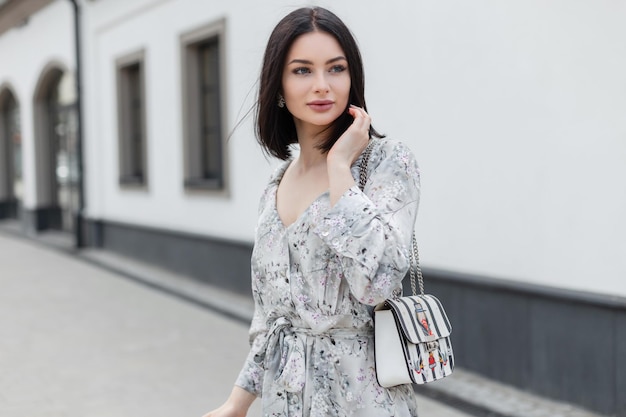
point(411, 334)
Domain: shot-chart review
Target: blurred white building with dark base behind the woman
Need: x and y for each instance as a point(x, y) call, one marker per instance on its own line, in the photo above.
point(125, 127)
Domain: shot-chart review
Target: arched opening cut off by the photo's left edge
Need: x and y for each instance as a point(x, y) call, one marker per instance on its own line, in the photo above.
point(11, 189)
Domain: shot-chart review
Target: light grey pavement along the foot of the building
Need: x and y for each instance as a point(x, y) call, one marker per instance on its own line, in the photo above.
point(77, 339)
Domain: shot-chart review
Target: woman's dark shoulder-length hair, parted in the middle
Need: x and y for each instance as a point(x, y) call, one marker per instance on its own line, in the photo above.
point(275, 127)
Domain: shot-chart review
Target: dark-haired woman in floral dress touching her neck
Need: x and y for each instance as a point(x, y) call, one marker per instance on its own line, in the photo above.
point(325, 252)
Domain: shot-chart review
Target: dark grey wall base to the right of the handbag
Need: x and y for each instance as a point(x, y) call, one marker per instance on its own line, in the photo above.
point(561, 344)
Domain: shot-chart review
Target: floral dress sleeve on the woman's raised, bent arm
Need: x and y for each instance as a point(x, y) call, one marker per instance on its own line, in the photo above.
point(370, 231)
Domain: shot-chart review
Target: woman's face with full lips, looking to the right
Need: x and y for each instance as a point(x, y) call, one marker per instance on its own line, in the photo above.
point(316, 81)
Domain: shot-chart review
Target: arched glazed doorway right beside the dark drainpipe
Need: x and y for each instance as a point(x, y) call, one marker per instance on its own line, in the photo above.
point(55, 140)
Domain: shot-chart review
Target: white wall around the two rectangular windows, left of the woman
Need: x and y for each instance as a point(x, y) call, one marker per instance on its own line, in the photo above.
point(156, 28)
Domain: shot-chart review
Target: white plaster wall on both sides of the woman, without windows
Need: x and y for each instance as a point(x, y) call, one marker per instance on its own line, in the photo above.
point(515, 111)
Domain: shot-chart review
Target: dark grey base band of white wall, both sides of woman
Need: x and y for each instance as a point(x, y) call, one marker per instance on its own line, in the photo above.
point(561, 344)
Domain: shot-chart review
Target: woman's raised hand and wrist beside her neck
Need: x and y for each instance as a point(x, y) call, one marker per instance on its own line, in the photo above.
point(345, 151)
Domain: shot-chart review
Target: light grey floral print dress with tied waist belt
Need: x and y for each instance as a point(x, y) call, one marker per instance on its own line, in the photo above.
point(315, 283)
